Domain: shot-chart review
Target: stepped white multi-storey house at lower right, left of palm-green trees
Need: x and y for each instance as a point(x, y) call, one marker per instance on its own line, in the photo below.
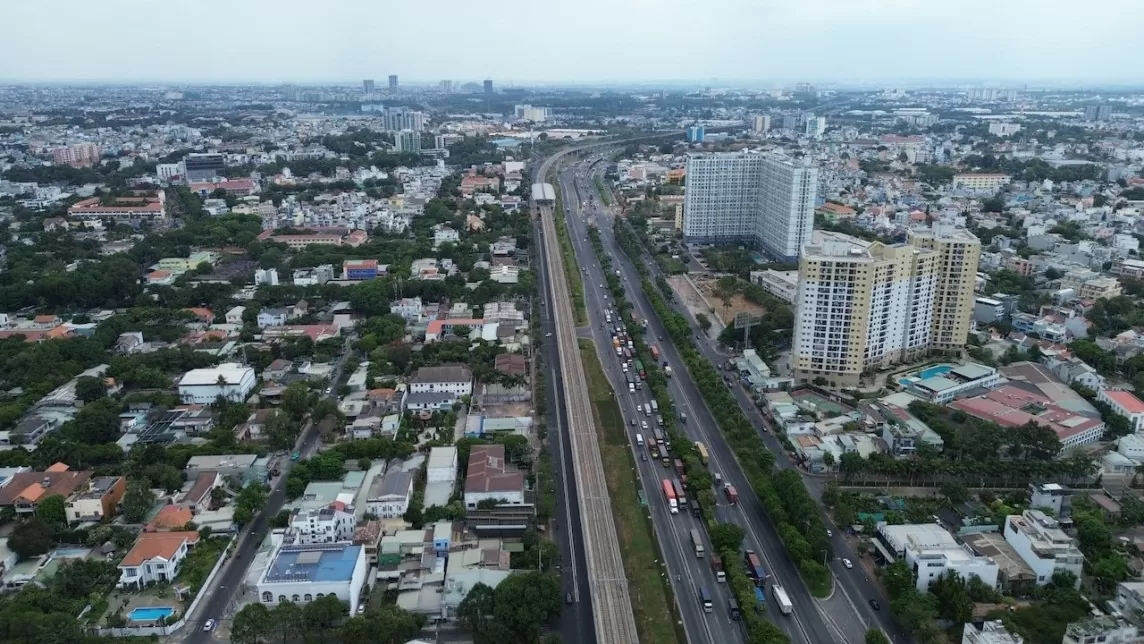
point(1040, 543)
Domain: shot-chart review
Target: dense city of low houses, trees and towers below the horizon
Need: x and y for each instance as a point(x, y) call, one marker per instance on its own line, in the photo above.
point(471, 362)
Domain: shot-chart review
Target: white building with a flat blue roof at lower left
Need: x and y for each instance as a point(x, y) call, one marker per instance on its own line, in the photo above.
point(304, 574)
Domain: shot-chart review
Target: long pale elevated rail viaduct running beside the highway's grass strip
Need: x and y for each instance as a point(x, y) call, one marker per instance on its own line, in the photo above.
point(611, 607)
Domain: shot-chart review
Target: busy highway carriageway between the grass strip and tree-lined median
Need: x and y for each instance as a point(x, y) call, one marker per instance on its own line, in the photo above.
point(688, 573)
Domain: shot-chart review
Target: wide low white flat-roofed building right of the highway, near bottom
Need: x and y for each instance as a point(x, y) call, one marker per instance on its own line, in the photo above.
point(931, 552)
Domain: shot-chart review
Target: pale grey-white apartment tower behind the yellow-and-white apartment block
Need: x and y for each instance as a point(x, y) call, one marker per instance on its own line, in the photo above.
point(748, 198)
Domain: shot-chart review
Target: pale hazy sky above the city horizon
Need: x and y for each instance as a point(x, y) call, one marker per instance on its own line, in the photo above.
point(569, 41)
